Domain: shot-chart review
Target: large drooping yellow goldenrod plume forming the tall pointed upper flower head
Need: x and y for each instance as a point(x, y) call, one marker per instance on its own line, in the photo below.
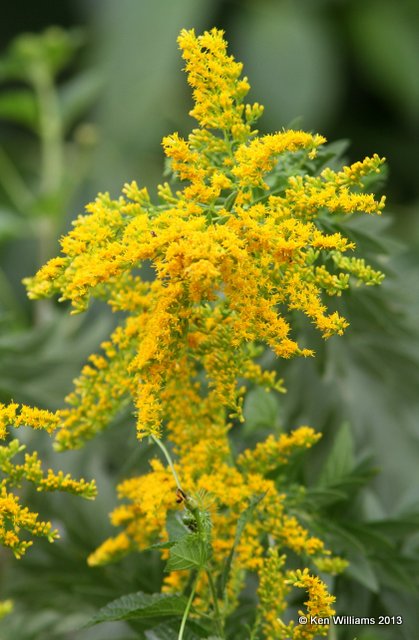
point(235, 251)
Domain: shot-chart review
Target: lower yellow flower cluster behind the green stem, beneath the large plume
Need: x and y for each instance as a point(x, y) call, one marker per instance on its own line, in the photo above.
point(198, 429)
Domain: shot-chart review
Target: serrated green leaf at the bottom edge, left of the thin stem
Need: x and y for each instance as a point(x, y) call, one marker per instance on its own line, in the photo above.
point(140, 605)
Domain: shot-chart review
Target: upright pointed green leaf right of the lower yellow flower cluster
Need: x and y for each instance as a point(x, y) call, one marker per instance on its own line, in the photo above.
point(340, 461)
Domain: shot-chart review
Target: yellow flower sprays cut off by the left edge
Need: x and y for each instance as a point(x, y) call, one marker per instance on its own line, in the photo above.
point(15, 518)
